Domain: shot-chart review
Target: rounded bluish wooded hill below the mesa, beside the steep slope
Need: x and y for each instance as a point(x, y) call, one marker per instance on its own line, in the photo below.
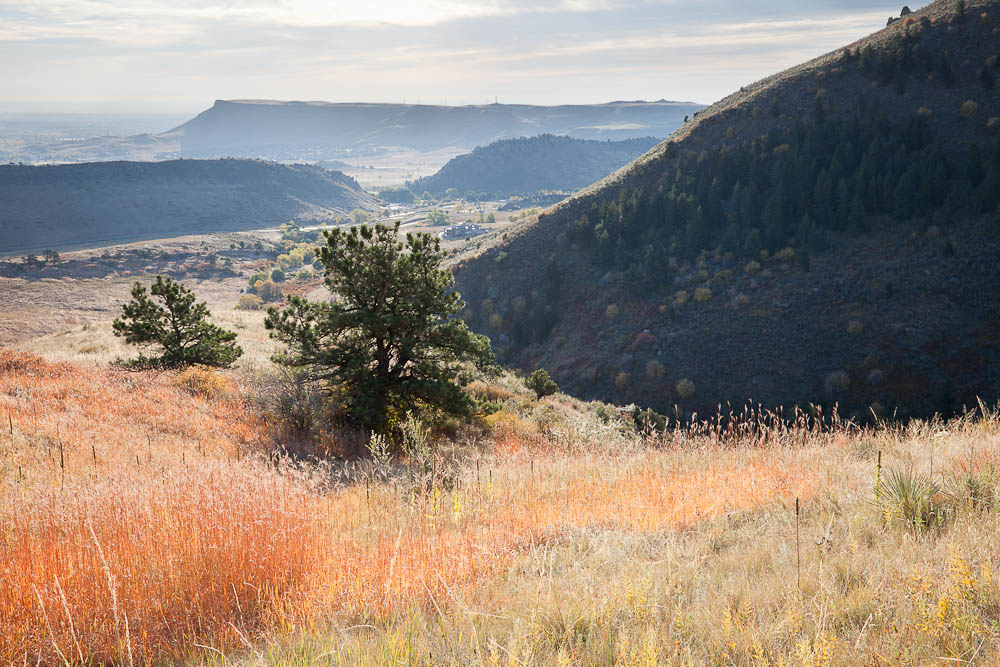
point(526, 165)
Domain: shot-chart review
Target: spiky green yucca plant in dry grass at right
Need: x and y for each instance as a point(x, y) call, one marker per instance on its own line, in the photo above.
point(908, 496)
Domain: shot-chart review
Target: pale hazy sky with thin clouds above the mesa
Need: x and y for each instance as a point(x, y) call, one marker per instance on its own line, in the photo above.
point(179, 56)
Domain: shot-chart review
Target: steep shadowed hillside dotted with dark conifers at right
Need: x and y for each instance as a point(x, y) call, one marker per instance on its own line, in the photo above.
point(825, 235)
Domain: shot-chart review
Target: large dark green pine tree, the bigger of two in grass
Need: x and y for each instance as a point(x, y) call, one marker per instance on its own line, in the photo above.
point(388, 342)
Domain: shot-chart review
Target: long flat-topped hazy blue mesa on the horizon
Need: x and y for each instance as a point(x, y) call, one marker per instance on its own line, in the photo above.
point(279, 129)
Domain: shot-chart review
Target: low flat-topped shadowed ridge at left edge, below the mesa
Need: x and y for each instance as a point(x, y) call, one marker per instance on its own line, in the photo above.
point(55, 206)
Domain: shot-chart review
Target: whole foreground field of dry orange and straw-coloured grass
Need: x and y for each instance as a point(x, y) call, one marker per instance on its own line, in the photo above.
point(147, 519)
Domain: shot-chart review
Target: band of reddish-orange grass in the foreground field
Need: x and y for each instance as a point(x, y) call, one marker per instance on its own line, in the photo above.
point(180, 538)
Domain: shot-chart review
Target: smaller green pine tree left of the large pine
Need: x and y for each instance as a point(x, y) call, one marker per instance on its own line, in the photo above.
point(168, 318)
